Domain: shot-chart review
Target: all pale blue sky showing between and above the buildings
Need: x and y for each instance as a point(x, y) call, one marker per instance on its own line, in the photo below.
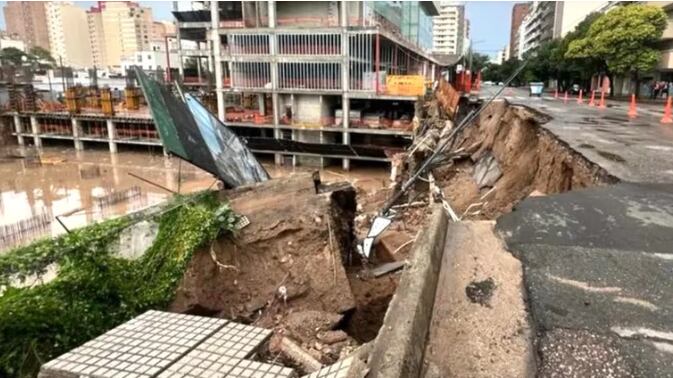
point(489, 21)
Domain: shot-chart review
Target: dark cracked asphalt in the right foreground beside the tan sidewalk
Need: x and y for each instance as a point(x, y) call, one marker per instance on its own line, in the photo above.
point(598, 272)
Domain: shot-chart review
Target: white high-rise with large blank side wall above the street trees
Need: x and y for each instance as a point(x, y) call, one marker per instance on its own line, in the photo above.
point(547, 20)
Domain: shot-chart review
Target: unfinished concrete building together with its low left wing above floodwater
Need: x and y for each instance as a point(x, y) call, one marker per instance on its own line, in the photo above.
point(305, 82)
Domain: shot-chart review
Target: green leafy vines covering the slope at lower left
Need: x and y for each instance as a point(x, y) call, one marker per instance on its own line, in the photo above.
point(95, 290)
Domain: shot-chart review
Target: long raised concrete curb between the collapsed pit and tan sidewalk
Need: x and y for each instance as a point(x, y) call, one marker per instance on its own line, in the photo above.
point(399, 347)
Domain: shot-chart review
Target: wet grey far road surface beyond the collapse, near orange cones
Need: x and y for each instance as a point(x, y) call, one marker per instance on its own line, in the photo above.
point(637, 150)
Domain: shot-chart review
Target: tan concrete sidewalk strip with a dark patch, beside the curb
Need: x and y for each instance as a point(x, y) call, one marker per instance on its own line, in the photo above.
point(489, 339)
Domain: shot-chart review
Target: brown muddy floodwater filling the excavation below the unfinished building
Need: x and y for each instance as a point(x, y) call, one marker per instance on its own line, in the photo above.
point(82, 187)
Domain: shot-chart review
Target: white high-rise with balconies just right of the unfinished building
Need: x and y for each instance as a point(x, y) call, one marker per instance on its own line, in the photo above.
point(449, 29)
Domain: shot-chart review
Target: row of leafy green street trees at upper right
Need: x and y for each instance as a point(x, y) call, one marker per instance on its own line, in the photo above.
point(619, 42)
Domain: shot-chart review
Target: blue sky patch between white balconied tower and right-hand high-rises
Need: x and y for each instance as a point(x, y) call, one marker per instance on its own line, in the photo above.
point(489, 25)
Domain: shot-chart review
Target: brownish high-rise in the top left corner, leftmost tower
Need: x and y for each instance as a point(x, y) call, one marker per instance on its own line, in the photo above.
point(28, 20)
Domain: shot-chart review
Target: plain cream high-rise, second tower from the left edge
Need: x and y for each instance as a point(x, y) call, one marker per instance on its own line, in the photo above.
point(69, 34)
